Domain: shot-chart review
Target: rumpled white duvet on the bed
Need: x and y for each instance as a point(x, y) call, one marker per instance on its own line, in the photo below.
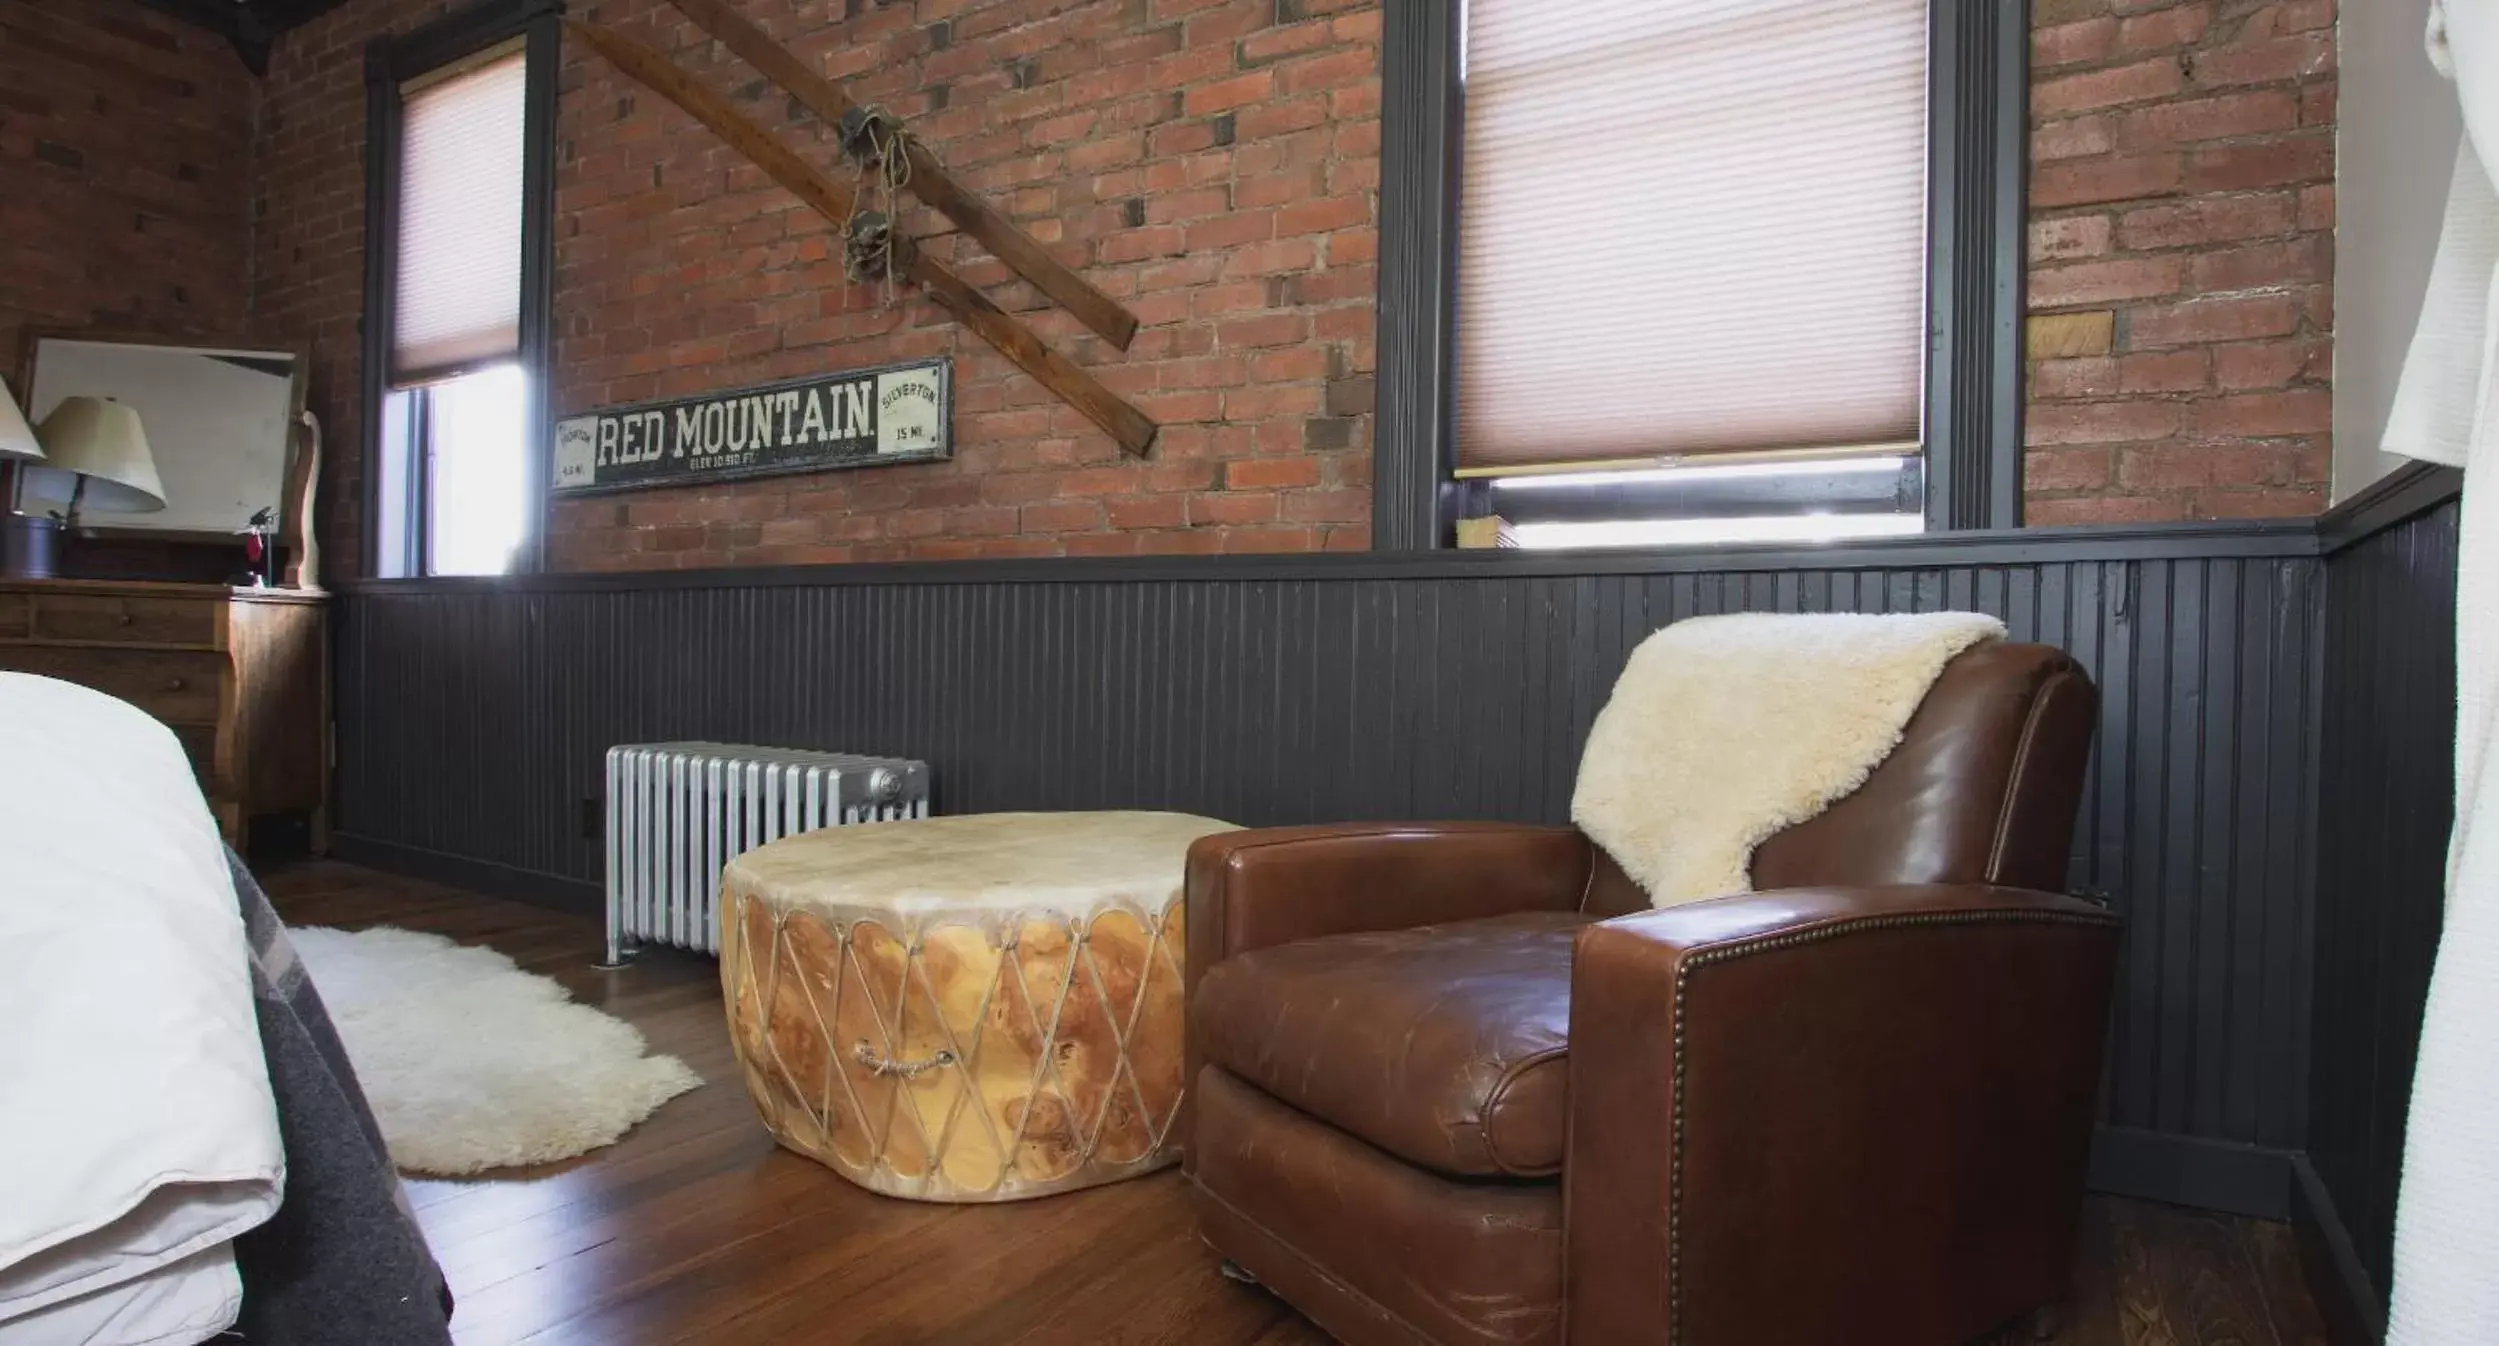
point(136, 1122)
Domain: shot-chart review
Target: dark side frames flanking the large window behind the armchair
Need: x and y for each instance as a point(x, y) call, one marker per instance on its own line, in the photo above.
point(1978, 184)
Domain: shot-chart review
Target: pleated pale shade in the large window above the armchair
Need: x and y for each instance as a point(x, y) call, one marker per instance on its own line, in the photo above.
point(1691, 226)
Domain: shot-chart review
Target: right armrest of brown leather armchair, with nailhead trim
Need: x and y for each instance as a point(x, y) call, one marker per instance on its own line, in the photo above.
point(1798, 1113)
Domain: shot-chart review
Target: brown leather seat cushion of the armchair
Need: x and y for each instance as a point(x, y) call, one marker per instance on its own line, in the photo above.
point(1441, 1045)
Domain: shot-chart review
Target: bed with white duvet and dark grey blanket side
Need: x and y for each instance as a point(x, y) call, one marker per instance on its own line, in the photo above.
point(184, 1150)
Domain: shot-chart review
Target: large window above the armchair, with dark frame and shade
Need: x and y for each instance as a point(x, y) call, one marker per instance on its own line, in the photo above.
point(1718, 271)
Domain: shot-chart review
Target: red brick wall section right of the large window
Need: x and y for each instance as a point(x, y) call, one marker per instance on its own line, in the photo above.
point(2183, 231)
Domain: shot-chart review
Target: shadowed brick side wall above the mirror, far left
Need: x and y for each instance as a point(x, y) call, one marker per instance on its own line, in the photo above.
point(126, 154)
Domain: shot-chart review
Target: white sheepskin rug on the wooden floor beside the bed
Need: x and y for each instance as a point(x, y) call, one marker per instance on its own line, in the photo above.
point(476, 1065)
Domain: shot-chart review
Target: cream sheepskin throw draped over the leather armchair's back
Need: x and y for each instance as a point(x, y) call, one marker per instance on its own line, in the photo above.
point(1726, 730)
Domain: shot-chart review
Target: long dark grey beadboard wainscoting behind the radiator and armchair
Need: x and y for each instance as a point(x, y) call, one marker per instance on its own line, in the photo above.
point(474, 723)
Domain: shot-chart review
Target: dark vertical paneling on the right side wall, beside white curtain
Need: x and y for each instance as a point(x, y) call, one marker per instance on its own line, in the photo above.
point(2383, 813)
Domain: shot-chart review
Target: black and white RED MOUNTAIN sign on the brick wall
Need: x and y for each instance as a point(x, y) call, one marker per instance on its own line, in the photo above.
point(861, 418)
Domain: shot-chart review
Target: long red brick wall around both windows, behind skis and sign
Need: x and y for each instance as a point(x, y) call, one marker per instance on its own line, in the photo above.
point(1216, 166)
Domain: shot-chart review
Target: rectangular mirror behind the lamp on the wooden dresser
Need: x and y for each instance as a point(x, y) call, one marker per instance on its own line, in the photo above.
point(219, 423)
